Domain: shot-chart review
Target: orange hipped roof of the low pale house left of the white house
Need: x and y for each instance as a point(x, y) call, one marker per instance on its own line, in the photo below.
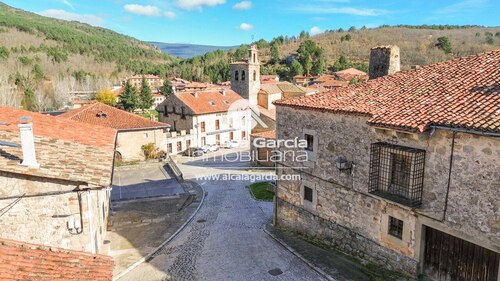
point(107, 116)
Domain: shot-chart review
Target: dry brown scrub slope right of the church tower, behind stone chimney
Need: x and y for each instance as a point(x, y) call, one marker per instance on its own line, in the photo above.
point(417, 44)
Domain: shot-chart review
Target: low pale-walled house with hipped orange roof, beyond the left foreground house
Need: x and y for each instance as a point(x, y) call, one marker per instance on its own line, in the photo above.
point(134, 131)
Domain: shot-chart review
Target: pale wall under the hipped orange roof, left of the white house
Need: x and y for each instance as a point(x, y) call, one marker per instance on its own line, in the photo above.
point(129, 143)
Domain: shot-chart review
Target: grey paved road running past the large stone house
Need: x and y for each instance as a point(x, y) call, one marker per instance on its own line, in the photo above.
point(225, 241)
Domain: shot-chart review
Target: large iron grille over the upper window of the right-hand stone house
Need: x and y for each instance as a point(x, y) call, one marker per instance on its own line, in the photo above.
point(397, 173)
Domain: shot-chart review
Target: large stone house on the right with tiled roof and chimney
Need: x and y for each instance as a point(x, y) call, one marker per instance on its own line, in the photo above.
point(402, 170)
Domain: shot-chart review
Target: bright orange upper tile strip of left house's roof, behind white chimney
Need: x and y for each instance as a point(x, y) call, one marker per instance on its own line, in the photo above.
point(57, 128)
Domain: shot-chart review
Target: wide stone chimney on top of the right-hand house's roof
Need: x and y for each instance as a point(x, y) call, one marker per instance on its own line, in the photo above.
point(384, 60)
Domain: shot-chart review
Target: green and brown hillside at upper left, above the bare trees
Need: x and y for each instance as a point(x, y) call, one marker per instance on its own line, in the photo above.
point(60, 47)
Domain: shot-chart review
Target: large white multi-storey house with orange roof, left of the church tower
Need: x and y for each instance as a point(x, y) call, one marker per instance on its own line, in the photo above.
point(205, 117)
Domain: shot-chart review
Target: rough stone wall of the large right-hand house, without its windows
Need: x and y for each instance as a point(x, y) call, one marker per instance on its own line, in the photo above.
point(344, 214)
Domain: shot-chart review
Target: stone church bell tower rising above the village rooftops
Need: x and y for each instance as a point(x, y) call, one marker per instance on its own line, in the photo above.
point(245, 76)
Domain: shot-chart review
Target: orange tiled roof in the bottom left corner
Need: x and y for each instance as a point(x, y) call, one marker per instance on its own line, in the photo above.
point(24, 261)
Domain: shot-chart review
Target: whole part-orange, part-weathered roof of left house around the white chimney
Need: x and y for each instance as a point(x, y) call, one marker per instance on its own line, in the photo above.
point(64, 149)
